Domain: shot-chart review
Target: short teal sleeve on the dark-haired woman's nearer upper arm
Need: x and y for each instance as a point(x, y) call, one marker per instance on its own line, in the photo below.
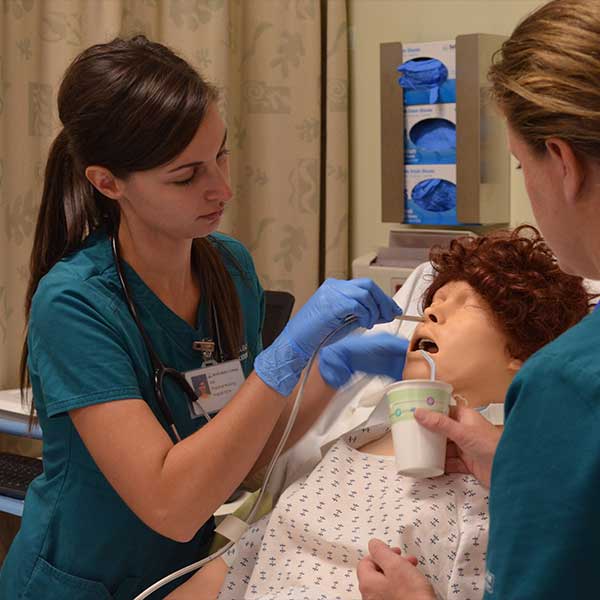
point(78, 354)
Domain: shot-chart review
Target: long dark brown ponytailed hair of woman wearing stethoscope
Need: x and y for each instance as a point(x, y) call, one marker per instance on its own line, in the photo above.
point(127, 105)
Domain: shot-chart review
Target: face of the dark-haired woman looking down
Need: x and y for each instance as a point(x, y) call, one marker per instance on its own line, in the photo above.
point(185, 198)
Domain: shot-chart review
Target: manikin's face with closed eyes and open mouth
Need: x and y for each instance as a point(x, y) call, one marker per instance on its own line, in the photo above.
point(469, 349)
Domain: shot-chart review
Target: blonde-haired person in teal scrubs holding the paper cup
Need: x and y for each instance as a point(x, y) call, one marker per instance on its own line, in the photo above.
point(544, 470)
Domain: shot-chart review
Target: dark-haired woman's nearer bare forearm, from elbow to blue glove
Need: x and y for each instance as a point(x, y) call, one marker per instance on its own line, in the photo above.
point(199, 473)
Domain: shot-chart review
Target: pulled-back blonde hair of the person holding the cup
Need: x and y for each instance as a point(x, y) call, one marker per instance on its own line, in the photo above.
point(546, 76)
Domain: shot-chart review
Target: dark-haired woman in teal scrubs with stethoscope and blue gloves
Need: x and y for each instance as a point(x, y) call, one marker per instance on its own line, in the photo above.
point(131, 288)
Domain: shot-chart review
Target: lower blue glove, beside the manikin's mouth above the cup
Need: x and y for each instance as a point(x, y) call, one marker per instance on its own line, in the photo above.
point(377, 354)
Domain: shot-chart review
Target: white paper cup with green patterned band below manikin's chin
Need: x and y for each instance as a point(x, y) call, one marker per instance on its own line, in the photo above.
point(419, 452)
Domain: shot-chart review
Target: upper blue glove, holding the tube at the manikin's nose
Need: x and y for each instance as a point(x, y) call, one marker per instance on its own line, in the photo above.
point(281, 364)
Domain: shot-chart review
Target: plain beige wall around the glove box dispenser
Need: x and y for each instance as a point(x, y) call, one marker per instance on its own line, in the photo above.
point(375, 21)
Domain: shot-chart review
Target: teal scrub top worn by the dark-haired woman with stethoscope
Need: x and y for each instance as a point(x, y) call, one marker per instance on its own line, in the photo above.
point(78, 539)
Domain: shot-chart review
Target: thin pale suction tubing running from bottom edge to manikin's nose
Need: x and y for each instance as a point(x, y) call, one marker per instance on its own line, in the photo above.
point(232, 527)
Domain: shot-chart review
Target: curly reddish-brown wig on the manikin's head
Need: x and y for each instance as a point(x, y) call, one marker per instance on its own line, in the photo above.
point(518, 277)
